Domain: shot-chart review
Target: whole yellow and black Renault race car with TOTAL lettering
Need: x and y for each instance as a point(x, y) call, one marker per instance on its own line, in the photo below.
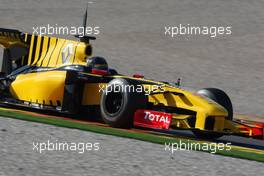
point(59, 74)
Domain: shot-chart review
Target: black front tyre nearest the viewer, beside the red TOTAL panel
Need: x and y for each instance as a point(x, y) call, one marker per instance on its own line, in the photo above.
point(119, 103)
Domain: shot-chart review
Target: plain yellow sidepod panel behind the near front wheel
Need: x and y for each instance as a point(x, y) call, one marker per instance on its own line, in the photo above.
point(34, 87)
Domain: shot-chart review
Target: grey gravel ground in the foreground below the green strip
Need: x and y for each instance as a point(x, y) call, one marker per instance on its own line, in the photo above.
point(117, 156)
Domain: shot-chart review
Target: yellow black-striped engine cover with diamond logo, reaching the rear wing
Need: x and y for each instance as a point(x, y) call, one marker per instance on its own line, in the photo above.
point(22, 49)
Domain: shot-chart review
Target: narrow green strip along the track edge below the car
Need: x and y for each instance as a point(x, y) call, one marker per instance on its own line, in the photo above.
point(234, 152)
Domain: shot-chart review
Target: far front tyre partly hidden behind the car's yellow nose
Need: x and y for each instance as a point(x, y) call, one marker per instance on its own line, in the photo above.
point(221, 98)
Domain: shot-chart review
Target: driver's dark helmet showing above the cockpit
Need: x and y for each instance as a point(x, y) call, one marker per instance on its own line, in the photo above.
point(97, 63)
